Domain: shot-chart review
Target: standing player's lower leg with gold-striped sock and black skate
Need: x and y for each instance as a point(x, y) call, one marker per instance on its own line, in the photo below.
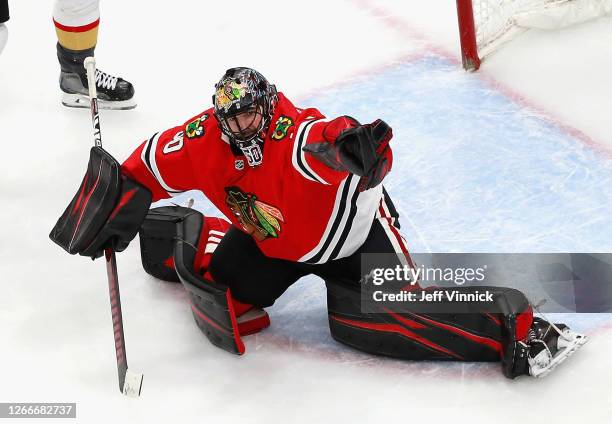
point(76, 24)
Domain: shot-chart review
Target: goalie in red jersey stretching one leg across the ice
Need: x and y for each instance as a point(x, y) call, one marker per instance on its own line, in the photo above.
point(302, 195)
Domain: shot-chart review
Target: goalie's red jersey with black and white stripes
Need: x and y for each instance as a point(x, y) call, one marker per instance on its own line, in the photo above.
point(294, 206)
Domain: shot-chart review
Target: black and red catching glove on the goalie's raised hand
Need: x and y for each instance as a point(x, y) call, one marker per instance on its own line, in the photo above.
point(362, 150)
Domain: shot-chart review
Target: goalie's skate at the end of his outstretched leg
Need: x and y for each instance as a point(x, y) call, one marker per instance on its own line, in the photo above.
point(554, 350)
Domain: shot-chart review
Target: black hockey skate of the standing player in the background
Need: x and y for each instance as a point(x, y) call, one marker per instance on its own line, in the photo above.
point(113, 92)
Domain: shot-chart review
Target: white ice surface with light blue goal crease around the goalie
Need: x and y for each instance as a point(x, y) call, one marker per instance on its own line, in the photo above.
point(513, 158)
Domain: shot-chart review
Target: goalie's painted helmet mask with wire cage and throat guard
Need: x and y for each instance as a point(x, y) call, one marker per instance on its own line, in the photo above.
point(244, 103)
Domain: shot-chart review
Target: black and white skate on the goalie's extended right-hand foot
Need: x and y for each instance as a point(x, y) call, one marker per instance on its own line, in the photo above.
point(548, 345)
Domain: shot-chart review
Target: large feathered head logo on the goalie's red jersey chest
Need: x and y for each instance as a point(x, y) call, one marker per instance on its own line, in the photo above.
point(259, 219)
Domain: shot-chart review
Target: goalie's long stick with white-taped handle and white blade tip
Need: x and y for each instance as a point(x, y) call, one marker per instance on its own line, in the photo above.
point(130, 383)
